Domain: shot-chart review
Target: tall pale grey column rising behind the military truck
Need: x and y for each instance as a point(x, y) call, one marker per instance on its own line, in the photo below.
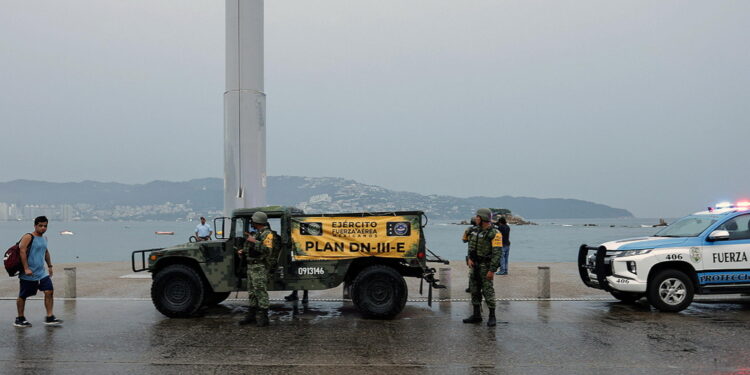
point(244, 107)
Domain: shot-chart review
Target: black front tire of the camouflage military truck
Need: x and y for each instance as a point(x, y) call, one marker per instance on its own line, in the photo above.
point(177, 291)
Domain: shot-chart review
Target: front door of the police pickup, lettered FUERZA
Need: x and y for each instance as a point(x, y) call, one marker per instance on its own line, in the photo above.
point(727, 261)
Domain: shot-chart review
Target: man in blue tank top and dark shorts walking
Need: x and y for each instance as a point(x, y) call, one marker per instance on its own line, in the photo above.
point(34, 253)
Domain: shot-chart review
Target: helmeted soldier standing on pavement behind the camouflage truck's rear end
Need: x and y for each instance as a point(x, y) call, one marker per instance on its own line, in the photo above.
point(485, 243)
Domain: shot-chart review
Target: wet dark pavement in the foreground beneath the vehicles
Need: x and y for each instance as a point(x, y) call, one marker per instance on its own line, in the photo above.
point(533, 337)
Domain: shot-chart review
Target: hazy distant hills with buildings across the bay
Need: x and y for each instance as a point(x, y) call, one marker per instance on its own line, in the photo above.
point(313, 194)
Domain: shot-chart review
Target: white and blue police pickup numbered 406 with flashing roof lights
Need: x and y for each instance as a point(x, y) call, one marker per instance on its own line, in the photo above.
point(703, 253)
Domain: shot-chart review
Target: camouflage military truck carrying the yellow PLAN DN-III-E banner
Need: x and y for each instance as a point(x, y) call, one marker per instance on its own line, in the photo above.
point(370, 253)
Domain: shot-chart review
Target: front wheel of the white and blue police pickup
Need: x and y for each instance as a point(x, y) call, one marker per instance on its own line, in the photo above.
point(670, 291)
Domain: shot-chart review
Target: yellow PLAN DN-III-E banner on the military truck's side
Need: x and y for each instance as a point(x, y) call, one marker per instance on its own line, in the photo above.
point(339, 237)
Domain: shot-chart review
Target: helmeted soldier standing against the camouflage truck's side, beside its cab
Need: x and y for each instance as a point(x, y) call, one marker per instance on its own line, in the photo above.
point(257, 249)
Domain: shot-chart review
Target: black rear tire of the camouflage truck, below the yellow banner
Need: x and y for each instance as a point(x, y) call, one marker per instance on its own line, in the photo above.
point(379, 292)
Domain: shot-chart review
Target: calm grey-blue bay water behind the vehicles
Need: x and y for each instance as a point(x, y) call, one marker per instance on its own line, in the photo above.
point(550, 241)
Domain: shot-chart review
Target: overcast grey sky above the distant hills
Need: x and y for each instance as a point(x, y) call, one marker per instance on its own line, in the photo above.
point(641, 105)
